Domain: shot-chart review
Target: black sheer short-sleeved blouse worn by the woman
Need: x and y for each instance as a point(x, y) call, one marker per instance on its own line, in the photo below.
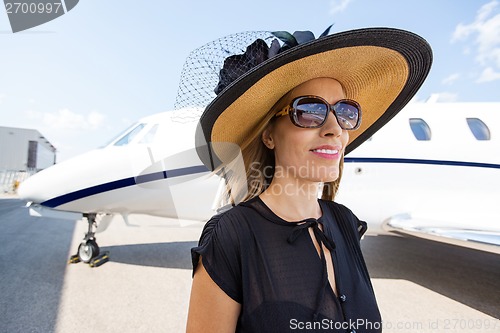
point(272, 268)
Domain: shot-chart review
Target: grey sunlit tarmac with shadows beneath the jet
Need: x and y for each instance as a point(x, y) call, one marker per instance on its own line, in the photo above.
point(421, 285)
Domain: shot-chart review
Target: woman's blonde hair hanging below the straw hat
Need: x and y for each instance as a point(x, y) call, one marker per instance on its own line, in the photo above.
point(259, 166)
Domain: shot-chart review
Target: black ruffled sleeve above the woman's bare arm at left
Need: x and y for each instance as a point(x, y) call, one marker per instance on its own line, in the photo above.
point(219, 249)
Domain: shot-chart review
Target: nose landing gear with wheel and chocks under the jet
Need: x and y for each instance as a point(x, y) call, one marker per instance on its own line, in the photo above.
point(88, 250)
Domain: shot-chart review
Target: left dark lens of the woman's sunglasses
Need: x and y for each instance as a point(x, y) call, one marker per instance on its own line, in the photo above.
point(310, 112)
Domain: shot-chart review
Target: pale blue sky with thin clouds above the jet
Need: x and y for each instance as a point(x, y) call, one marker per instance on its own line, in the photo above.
point(87, 75)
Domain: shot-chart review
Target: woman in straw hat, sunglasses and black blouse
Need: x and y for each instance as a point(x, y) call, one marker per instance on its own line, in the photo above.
point(282, 260)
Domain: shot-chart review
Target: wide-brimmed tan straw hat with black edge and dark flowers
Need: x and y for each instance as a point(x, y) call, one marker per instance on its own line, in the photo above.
point(380, 68)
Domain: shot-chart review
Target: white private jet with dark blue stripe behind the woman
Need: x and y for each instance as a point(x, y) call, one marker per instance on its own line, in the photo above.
point(433, 171)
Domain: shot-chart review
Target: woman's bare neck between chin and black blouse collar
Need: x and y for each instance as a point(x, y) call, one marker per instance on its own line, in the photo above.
point(292, 200)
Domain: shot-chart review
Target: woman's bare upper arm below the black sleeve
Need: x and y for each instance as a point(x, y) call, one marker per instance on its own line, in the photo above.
point(210, 308)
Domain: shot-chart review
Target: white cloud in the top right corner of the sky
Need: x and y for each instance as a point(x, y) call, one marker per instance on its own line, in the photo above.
point(485, 28)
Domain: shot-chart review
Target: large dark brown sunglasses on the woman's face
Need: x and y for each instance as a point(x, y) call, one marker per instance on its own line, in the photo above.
point(312, 112)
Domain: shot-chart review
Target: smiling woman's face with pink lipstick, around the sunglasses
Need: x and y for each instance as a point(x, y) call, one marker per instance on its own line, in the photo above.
point(311, 154)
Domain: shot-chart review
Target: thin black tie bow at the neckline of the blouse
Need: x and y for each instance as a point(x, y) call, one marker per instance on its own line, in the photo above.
point(322, 240)
